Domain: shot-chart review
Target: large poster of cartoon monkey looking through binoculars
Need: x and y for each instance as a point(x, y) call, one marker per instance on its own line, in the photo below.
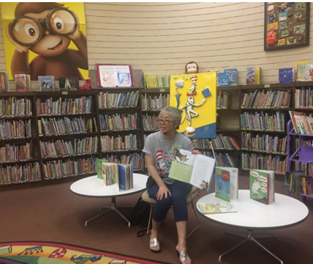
point(45, 39)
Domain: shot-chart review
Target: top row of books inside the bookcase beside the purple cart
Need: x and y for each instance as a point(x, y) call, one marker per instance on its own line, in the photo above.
point(266, 99)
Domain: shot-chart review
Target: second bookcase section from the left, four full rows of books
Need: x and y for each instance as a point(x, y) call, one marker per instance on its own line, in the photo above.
point(67, 130)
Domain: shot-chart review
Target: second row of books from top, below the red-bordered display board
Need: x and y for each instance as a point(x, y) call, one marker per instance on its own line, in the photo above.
point(118, 122)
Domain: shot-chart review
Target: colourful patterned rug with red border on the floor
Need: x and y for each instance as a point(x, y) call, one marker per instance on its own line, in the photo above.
point(55, 253)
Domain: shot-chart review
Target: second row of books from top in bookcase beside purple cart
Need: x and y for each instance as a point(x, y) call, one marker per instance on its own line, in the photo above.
point(265, 122)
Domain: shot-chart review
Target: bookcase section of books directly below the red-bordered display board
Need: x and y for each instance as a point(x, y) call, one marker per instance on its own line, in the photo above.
point(121, 137)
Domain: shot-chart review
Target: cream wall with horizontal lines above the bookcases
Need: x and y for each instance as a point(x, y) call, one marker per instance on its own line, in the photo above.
point(160, 38)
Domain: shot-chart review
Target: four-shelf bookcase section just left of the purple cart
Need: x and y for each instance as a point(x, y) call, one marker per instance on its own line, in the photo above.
point(263, 117)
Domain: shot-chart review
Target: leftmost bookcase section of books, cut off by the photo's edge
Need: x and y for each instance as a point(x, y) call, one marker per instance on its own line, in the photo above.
point(19, 158)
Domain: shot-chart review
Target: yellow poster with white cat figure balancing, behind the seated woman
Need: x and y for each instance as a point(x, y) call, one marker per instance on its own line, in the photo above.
point(195, 95)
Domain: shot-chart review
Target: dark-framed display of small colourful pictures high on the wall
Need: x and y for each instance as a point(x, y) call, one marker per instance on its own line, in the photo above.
point(286, 25)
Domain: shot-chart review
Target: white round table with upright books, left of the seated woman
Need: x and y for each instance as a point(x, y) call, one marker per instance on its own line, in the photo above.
point(94, 187)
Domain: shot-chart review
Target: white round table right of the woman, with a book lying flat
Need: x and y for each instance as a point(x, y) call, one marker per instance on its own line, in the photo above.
point(285, 211)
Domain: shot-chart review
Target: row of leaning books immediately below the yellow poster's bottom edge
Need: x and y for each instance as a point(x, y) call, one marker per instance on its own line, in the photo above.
point(220, 142)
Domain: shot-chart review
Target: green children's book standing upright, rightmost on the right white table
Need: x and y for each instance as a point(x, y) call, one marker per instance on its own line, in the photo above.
point(262, 187)
